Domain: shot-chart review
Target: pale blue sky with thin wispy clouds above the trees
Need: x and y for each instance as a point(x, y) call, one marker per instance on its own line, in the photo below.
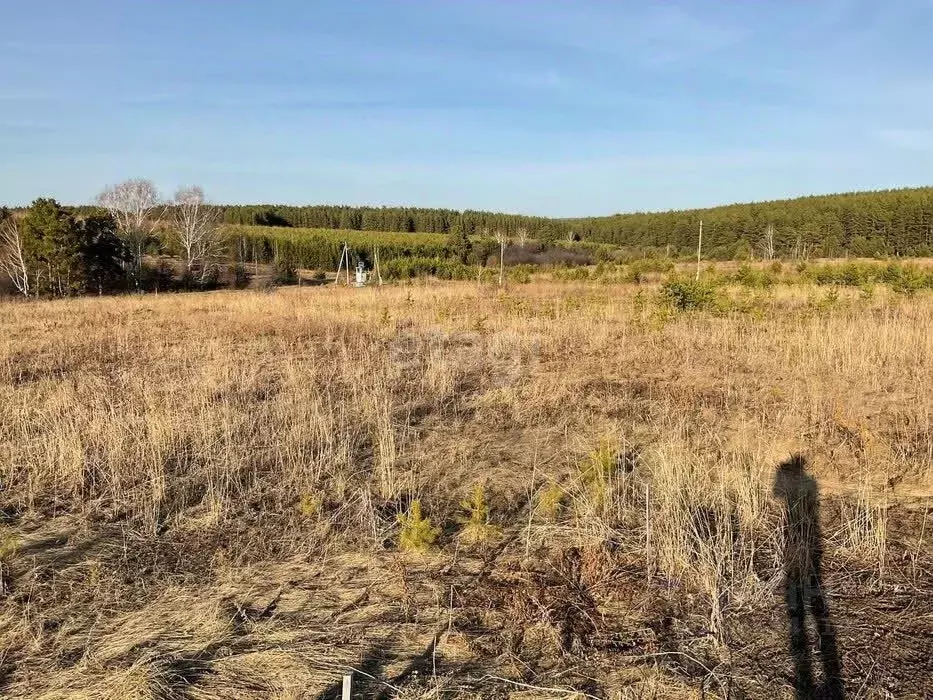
point(565, 108)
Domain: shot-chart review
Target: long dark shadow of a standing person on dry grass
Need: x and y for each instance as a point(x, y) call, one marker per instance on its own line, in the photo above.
point(803, 553)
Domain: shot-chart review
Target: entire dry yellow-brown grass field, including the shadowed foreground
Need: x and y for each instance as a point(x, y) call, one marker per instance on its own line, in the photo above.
point(216, 495)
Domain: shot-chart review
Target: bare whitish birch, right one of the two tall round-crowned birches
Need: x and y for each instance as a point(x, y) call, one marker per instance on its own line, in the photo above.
point(196, 230)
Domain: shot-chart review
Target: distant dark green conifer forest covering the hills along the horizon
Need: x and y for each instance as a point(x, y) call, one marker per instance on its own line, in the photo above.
point(889, 222)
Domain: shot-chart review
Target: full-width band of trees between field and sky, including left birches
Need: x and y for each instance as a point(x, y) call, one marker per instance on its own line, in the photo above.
point(48, 249)
